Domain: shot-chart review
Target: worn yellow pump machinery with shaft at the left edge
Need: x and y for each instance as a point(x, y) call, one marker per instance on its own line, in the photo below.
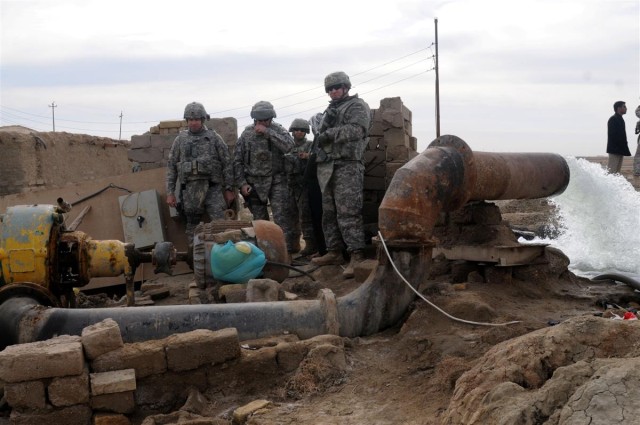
point(40, 258)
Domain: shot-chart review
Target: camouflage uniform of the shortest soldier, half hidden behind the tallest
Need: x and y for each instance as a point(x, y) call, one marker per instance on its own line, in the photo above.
point(299, 208)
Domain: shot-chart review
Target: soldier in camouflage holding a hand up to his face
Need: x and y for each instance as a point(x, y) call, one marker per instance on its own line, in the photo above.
point(259, 169)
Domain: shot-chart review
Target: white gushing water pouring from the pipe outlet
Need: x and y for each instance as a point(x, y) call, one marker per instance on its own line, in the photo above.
point(599, 216)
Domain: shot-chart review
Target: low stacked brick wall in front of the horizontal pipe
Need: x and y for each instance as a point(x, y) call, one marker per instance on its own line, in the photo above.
point(96, 378)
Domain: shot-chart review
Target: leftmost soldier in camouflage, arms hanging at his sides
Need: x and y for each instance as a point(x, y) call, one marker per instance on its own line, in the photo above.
point(199, 159)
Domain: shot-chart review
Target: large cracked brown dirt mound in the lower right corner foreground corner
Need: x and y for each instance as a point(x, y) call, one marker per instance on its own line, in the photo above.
point(581, 370)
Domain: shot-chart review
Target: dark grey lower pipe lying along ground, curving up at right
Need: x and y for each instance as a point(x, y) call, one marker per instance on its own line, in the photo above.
point(378, 303)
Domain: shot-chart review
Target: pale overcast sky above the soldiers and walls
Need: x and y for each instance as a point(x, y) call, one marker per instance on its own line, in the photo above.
point(515, 76)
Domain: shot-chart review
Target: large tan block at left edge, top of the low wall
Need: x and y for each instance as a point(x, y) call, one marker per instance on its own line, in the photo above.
point(60, 356)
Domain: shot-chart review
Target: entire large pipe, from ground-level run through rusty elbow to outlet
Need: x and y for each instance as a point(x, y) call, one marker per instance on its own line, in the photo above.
point(443, 178)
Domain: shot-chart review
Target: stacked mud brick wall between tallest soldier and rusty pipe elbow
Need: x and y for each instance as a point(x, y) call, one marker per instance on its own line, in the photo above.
point(391, 145)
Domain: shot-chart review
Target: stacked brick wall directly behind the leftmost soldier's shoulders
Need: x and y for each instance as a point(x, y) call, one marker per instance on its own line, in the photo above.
point(151, 150)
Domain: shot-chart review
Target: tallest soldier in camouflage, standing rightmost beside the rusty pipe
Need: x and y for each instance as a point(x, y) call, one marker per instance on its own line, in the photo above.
point(341, 142)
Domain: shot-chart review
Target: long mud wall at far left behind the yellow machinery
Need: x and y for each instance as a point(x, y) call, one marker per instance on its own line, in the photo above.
point(36, 161)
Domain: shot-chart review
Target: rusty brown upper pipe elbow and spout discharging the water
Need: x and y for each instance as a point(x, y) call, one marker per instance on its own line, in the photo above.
point(448, 174)
